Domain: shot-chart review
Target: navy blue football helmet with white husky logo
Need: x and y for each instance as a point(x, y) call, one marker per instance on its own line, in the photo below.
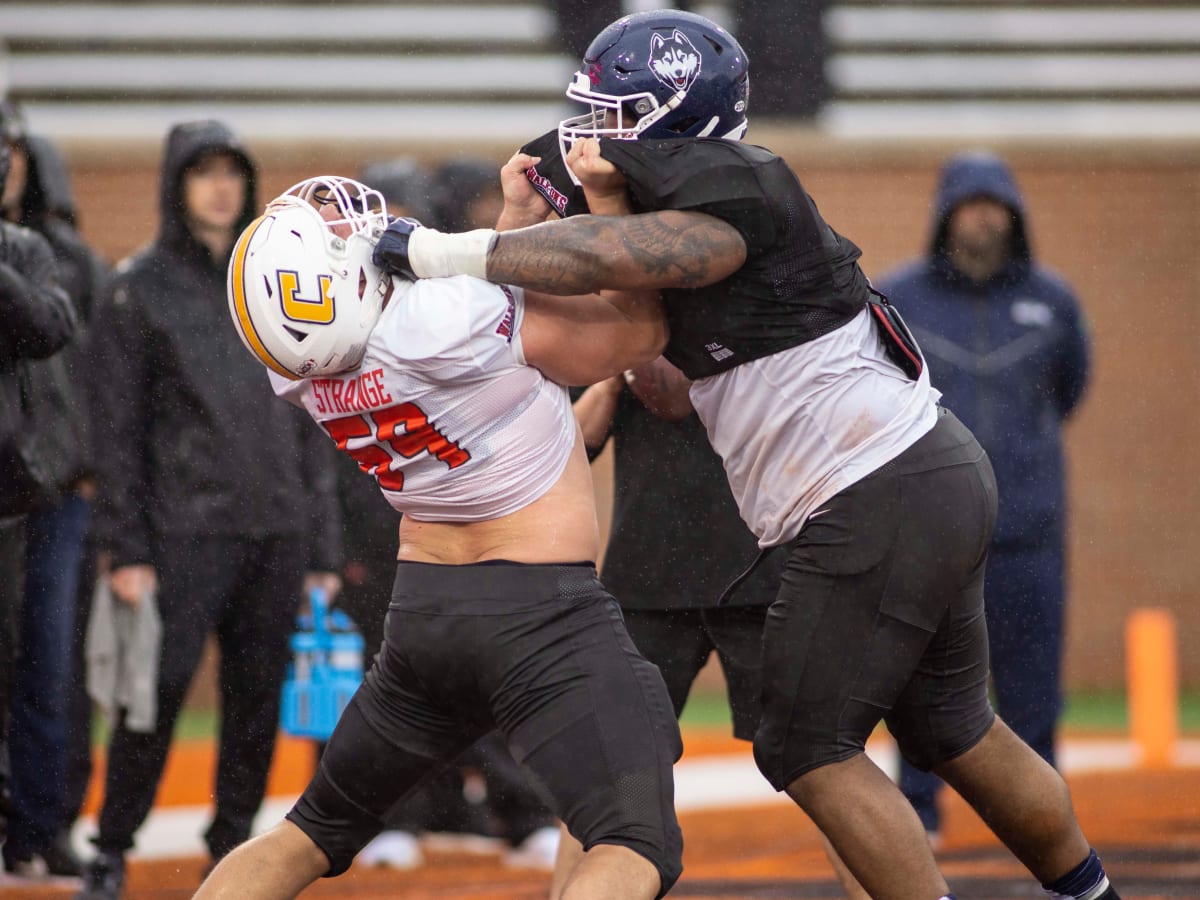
point(661, 75)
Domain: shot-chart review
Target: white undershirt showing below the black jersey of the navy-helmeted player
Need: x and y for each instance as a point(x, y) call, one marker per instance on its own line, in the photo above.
point(799, 427)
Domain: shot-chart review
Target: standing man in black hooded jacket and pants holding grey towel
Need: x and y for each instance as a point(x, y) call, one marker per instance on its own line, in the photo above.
point(200, 502)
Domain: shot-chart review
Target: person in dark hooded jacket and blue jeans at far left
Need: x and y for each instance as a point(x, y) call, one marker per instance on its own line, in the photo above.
point(38, 195)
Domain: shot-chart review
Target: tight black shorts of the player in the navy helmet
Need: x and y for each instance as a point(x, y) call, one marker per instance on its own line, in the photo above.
point(881, 615)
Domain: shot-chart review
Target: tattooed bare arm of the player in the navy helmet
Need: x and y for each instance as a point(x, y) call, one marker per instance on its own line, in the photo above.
point(589, 254)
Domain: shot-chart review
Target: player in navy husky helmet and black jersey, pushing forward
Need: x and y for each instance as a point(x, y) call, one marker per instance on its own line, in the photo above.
point(832, 437)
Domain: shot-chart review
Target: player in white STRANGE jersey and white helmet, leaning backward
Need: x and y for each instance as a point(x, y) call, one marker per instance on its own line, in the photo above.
point(442, 391)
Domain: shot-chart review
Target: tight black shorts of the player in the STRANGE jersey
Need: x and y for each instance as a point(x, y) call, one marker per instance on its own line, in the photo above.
point(538, 652)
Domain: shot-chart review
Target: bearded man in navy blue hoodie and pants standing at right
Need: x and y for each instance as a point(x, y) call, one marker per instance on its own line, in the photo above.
point(1007, 346)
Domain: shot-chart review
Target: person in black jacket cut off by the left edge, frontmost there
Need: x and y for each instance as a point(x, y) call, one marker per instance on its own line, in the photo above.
point(39, 321)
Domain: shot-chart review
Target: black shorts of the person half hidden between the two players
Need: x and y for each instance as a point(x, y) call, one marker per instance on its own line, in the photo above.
point(681, 641)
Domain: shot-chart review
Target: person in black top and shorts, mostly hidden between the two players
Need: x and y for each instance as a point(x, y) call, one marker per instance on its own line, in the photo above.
point(676, 543)
